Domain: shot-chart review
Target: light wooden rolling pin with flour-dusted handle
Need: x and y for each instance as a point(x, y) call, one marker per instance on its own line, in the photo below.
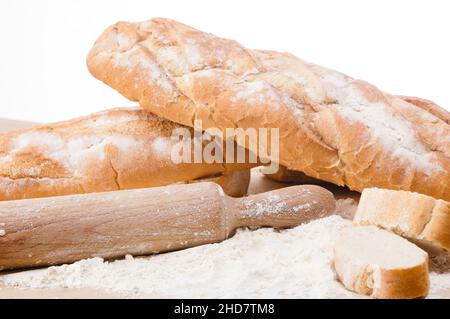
point(57, 230)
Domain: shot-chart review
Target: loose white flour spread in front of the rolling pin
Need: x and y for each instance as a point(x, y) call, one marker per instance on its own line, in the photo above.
point(293, 263)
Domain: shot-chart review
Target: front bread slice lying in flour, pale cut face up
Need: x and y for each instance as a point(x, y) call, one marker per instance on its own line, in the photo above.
point(380, 264)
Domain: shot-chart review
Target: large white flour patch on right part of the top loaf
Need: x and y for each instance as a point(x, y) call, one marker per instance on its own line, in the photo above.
point(380, 117)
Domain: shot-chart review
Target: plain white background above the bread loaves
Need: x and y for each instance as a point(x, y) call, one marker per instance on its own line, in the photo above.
point(401, 46)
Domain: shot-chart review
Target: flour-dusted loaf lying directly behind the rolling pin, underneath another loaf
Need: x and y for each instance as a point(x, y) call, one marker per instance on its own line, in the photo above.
point(120, 148)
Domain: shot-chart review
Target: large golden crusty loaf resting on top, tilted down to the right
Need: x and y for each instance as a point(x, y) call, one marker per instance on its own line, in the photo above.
point(332, 127)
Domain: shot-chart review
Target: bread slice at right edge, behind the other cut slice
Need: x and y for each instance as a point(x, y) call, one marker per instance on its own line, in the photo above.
point(420, 218)
